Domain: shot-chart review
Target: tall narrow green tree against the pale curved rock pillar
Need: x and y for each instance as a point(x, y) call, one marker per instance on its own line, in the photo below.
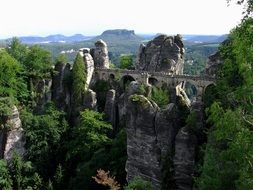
point(79, 78)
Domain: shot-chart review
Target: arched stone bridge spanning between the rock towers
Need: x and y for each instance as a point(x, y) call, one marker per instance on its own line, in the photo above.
point(156, 78)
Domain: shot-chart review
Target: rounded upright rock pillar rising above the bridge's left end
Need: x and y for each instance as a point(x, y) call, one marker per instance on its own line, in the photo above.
point(100, 55)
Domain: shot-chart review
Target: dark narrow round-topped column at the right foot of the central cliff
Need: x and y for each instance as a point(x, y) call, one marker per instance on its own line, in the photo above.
point(184, 159)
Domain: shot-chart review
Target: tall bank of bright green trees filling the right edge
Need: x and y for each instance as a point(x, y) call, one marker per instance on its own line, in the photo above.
point(228, 156)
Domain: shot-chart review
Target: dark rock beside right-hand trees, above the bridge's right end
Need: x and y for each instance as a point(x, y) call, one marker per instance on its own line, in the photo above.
point(214, 63)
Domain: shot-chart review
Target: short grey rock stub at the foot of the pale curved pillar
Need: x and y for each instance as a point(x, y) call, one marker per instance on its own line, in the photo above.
point(90, 100)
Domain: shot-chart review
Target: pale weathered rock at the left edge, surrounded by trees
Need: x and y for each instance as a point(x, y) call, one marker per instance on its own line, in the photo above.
point(12, 137)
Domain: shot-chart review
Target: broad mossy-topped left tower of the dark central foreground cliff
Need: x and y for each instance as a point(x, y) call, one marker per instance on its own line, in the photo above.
point(142, 148)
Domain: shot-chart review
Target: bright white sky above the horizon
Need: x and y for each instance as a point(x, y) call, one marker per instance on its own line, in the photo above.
point(92, 17)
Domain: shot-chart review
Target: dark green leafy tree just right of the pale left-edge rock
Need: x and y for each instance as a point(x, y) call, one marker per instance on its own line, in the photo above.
point(43, 138)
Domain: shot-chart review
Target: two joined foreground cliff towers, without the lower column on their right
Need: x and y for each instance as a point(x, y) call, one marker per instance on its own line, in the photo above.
point(151, 134)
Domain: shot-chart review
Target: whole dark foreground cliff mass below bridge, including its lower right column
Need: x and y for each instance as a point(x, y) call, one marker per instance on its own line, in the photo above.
point(158, 148)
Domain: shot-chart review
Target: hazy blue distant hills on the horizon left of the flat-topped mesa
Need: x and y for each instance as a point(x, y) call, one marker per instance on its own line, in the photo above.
point(53, 38)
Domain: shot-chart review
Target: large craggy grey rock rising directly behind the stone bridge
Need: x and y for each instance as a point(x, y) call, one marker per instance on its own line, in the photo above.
point(162, 54)
